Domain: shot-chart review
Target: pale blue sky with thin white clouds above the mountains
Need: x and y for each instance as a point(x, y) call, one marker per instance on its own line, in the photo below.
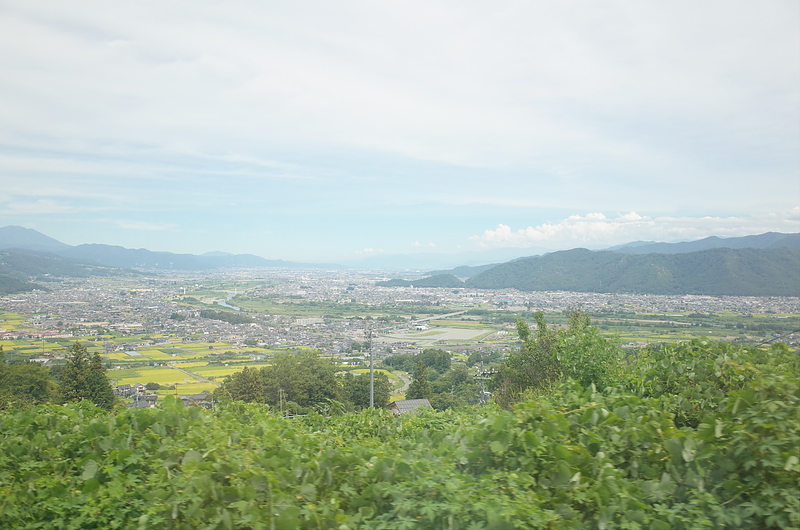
point(333, 131)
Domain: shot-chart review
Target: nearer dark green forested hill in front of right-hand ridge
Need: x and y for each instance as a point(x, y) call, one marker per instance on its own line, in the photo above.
point(720, 271)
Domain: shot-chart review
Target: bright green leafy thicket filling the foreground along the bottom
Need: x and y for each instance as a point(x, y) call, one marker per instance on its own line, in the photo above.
point(576, 458)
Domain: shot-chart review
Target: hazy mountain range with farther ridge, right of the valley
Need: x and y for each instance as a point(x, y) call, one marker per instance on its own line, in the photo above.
point(762, 265)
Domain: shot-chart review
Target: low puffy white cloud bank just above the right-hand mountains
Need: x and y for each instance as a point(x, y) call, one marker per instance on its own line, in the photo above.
point(596, 230)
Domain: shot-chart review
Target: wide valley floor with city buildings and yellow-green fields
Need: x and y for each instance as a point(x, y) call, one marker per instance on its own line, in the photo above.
point(186, 332)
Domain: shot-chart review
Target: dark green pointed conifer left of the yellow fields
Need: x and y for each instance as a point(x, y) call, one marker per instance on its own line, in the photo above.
point(84, 377)
